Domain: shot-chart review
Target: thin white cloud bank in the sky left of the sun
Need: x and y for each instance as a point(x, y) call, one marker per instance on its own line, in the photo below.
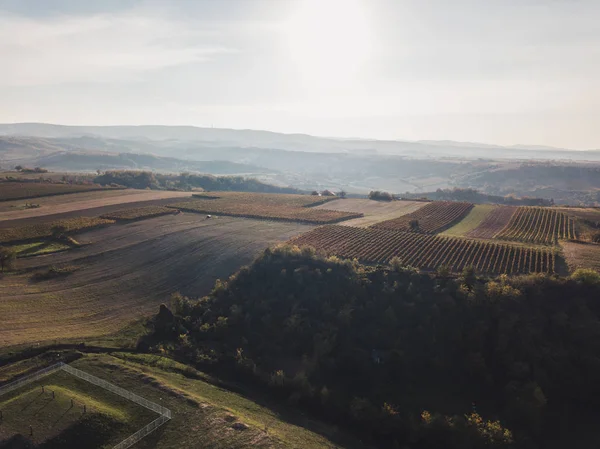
point(99, 48)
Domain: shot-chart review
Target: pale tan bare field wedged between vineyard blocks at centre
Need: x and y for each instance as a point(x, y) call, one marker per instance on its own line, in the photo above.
point(374, 211)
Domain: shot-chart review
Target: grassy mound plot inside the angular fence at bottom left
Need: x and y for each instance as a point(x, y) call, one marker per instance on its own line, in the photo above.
point(51, 415)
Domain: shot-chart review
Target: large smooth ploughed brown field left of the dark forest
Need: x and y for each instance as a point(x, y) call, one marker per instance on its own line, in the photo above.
point(127, 271)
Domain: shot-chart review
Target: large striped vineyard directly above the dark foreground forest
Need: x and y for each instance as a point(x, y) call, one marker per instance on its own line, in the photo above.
point(428, 252)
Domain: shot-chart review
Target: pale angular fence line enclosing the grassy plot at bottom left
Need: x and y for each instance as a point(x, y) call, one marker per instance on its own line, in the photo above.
point(165, 413)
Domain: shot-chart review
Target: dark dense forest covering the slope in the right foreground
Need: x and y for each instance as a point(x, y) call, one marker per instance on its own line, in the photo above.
point(406, 359)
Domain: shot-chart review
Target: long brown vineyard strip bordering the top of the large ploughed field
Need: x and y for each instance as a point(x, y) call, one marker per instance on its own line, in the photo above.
point(266, 211)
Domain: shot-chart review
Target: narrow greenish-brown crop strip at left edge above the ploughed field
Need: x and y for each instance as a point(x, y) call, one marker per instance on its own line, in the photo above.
point(44, 230)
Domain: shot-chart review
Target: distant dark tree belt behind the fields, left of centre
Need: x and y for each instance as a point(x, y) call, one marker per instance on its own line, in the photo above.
point(187, 181)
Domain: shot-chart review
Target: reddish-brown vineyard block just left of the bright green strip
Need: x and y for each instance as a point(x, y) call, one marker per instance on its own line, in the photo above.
point(430, 219)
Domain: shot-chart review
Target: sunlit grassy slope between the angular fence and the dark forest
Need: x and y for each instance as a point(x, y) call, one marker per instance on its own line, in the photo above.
point(203, 411)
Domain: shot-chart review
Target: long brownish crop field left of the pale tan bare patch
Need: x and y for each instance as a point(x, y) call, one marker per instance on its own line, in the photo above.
point(265, 206)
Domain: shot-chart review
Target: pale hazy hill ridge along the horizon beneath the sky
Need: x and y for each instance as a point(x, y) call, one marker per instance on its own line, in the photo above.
point(245, 138)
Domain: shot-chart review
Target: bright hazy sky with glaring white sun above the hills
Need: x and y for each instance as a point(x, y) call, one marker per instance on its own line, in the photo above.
point(499, 71)
